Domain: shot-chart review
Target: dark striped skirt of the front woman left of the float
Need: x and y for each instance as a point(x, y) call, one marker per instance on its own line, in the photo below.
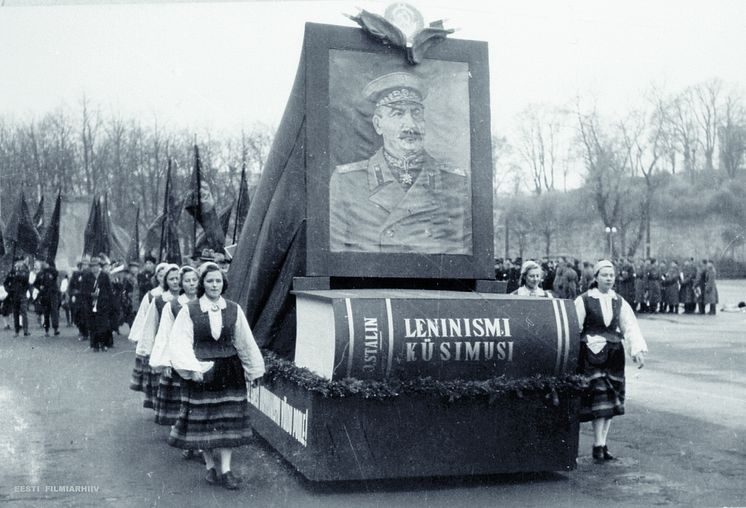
point(214, 413)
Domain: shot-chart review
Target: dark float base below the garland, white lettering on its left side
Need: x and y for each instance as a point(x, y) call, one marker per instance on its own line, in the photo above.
point(334, 439)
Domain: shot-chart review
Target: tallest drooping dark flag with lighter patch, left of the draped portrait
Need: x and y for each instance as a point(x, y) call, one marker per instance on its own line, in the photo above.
point(201, 206)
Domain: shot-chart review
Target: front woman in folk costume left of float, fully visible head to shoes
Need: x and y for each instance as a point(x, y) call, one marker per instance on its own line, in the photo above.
point(213, 349)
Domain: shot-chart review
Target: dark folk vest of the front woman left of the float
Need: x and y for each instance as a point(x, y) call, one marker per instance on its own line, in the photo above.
point(205, 346)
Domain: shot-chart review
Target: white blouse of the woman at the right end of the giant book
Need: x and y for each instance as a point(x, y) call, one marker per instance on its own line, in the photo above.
point(627, 321)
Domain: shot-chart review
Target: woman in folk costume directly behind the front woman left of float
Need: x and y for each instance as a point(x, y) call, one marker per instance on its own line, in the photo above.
point(168, 398)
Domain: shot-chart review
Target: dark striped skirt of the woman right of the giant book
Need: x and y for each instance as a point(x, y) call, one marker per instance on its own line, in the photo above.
point(604, 397)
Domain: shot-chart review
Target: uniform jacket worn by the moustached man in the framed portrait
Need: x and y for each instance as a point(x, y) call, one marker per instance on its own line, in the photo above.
point(370, 211)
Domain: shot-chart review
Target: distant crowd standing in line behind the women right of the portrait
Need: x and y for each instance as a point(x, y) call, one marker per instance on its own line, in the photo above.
point(647, 285)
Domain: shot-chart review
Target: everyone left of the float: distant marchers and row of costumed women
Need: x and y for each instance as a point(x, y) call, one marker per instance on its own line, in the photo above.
point(195, 350)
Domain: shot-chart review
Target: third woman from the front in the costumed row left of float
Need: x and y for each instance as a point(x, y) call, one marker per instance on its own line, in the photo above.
point(170, 289)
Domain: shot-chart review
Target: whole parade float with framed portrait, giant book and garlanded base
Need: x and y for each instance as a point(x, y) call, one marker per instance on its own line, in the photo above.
point(367, 273)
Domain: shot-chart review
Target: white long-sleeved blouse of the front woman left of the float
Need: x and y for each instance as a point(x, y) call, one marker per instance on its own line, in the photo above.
point(181, 342)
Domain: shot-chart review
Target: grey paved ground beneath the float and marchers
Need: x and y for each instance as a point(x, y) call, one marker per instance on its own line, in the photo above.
point(68, 420)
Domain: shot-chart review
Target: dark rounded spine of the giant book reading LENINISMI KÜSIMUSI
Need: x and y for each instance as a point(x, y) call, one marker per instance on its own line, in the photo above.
point(449, 339)
